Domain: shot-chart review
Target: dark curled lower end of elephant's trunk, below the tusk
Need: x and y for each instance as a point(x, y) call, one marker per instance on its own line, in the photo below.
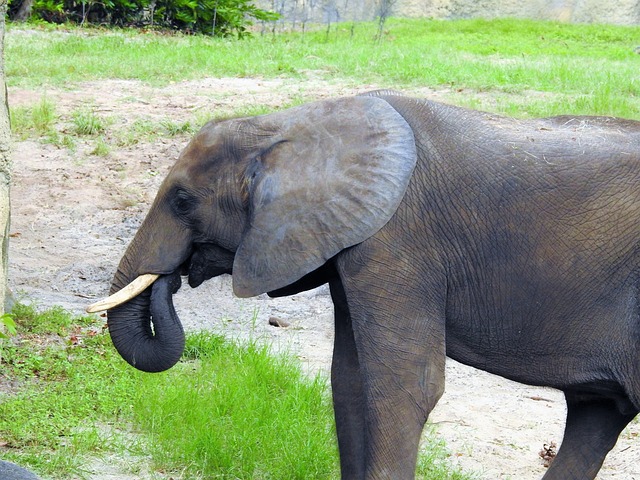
point(146, 330)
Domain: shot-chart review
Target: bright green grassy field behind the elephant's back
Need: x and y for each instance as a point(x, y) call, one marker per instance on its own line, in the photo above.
point(524, 68)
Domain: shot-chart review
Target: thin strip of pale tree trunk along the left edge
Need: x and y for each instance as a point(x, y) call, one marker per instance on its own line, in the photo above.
point(5, 165)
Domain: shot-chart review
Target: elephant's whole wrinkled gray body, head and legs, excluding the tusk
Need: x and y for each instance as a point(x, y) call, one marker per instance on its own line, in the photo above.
point(517, 241)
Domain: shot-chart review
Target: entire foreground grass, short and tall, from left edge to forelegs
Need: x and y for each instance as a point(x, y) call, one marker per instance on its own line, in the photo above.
point(228, 410)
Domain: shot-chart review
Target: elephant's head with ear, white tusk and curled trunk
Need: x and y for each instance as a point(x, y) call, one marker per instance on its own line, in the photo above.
point(268, 199)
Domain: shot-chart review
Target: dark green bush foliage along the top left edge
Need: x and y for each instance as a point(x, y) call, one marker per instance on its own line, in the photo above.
point(211, 17)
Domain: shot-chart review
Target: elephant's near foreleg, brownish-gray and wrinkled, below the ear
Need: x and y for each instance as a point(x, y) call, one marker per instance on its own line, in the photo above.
point(401, 354)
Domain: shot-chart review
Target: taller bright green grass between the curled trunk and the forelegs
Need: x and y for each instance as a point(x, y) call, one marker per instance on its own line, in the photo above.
point(245, 414)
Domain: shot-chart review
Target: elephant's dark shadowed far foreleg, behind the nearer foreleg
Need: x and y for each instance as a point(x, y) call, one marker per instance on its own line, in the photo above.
point(346, 382)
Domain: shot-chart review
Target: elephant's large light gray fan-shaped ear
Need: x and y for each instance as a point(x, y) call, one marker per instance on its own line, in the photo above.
point(333, 176)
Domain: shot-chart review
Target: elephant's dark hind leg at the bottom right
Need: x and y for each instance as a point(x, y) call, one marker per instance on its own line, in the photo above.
point(591, 431)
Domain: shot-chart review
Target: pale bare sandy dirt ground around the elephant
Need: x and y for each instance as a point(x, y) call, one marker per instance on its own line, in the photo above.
point(74, 213)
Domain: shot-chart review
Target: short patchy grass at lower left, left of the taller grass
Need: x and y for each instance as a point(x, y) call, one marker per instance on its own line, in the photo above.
point(66, 379)
